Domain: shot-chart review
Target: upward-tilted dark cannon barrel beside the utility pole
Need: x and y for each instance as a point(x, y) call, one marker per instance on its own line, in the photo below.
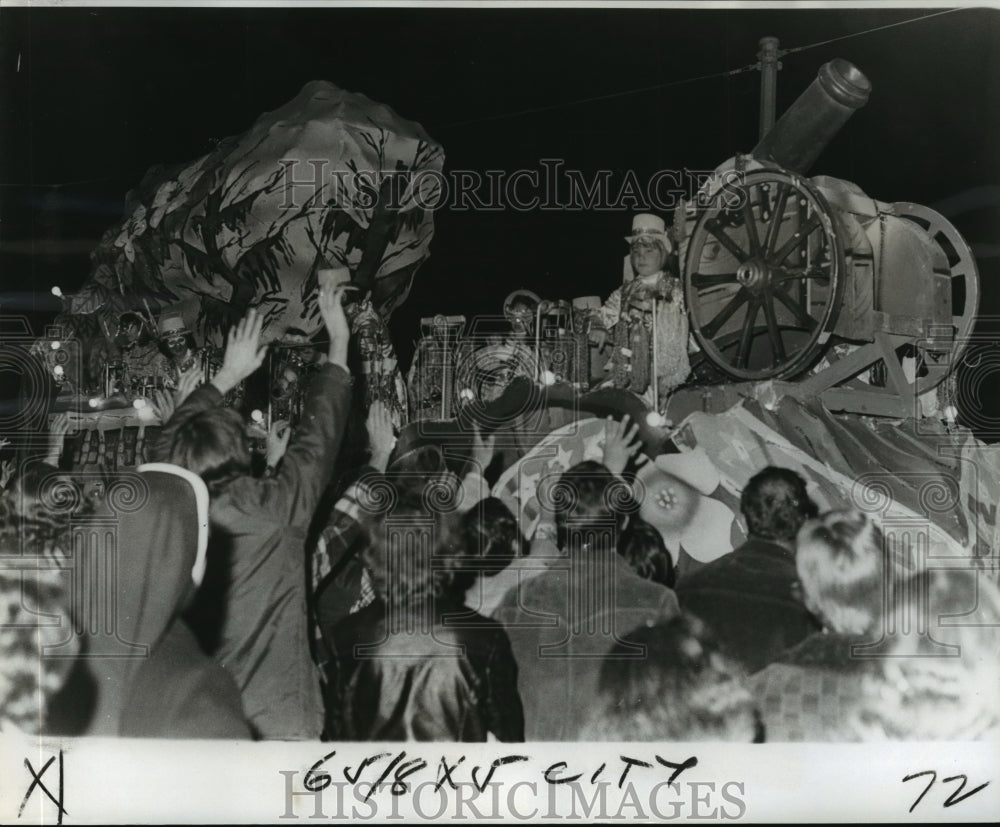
point(810, 123)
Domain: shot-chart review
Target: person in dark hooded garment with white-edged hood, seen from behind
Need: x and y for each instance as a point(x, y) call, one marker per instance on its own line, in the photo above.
point(155, 681)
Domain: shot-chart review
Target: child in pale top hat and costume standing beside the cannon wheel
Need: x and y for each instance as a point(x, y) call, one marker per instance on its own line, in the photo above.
point(649, 292)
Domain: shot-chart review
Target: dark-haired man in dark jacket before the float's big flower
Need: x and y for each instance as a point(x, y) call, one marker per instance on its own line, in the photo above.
point(751, 598)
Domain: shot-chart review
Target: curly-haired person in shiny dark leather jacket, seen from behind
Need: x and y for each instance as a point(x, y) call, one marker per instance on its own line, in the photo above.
point(417, 664)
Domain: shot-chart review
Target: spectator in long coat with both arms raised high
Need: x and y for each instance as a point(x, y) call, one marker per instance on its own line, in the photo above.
point(259, 526)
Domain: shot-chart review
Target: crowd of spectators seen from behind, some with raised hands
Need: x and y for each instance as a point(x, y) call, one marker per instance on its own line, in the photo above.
point(408, 605)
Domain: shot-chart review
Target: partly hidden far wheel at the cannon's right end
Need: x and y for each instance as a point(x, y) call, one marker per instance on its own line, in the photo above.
point(938, 362)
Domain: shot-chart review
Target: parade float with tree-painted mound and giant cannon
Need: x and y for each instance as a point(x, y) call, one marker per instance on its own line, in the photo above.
point(825, 326)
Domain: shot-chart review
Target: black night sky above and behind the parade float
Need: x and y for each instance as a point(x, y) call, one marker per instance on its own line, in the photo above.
point(93, 97)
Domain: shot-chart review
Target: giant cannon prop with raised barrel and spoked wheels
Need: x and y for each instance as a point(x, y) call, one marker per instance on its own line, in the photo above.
point(867, 304)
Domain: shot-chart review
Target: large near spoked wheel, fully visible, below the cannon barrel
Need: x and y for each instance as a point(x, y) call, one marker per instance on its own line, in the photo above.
point(763, 277)
